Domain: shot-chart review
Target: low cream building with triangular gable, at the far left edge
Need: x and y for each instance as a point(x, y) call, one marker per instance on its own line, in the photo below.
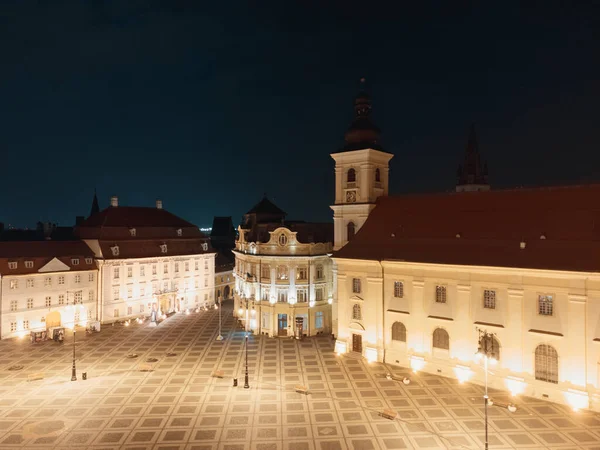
point(46, 284)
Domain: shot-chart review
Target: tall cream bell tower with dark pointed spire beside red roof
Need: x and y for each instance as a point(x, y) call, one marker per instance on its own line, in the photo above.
point(361, 173)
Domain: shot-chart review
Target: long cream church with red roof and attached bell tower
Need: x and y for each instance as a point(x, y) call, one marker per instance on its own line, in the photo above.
point(426, 273)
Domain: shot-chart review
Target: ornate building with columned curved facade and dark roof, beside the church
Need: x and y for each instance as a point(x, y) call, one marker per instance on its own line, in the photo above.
point(283, 274)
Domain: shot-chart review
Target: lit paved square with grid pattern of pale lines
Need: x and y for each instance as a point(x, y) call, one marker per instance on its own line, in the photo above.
point(176, 402)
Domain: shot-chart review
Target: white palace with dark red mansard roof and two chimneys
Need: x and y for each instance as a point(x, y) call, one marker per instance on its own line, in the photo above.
point(148, 259)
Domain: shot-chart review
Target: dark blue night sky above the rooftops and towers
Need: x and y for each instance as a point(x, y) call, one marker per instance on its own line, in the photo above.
point(207, 105)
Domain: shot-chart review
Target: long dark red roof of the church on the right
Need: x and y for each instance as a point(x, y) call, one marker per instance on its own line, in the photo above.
point(491, 226)
